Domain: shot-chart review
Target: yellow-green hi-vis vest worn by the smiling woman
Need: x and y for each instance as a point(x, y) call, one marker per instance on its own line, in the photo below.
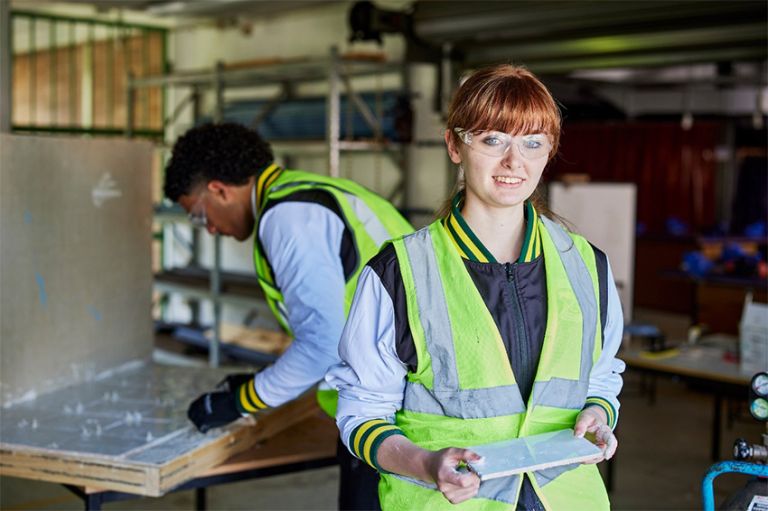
point(463, 391)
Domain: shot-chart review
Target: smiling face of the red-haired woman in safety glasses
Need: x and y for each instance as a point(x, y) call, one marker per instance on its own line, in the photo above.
point(497, 181)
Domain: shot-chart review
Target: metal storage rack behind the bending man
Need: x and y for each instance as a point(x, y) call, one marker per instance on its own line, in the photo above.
point(335, 70)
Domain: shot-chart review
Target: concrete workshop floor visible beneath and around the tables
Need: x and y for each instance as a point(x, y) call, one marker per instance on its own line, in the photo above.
point(663, 454)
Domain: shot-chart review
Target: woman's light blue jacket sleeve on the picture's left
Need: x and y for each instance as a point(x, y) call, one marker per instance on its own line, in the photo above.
point(371, 377)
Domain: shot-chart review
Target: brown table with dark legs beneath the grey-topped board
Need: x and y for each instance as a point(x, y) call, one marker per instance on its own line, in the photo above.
point(310, 444)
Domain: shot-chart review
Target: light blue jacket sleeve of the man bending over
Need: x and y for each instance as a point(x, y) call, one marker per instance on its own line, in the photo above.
point(302, 242)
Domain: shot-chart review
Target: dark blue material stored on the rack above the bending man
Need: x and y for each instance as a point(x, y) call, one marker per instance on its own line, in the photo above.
point(305, 118)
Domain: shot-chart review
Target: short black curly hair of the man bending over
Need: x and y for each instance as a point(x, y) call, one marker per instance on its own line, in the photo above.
point(227, 152)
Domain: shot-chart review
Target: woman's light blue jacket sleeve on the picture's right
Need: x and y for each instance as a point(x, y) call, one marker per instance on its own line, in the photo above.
point(605, 380)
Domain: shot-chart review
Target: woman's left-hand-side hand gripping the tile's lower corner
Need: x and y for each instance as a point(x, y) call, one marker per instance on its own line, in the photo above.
point(457, 486)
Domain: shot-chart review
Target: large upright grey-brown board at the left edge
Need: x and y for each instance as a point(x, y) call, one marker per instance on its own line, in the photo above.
point(75, 271)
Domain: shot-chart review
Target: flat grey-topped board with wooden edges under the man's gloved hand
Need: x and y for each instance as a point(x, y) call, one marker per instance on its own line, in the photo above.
point(128, 431)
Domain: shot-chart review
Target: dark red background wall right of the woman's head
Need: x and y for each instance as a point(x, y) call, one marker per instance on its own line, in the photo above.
point(674, 169)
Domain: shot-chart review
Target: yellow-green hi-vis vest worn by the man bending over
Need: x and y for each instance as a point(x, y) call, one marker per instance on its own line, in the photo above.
point(370, 219)
